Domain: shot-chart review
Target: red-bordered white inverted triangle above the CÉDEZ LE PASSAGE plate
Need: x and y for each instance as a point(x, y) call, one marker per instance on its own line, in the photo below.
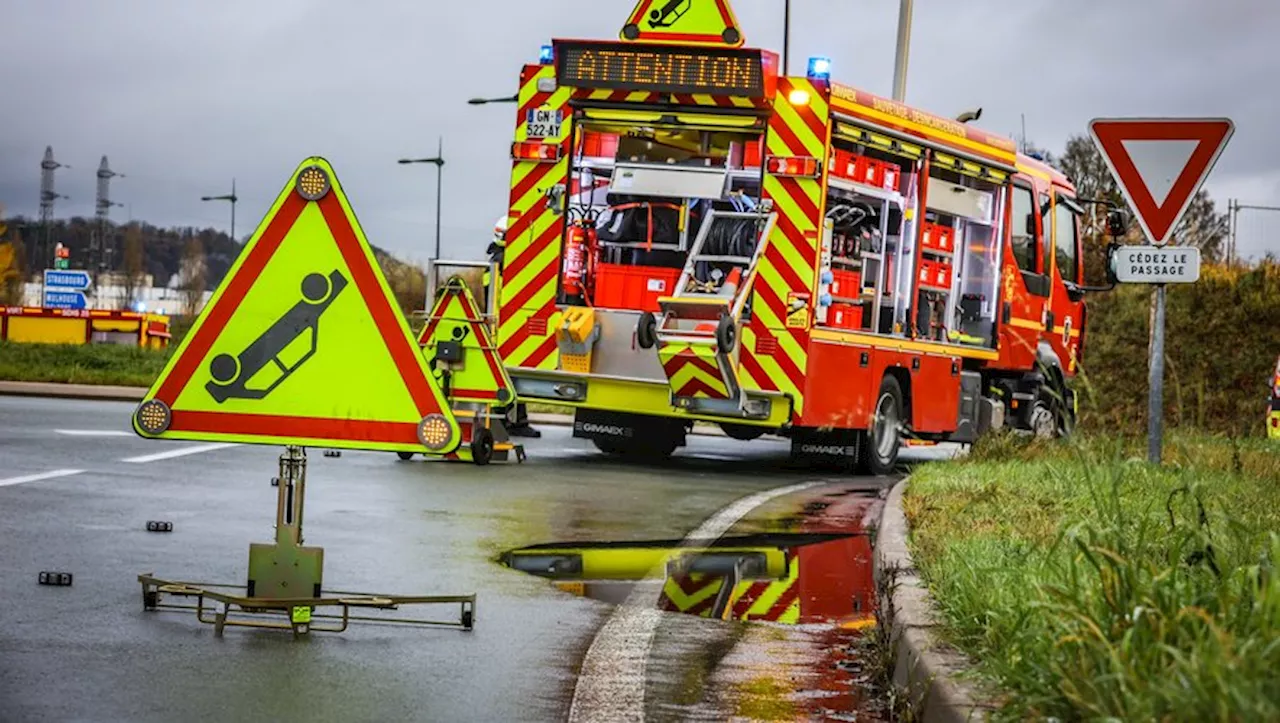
point(1160, 163)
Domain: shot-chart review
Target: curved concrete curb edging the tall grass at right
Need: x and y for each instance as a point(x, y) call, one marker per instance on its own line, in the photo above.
point(926, 669)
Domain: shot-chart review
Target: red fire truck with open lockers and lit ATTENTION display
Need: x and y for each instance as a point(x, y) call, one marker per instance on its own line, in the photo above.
point(696, 237)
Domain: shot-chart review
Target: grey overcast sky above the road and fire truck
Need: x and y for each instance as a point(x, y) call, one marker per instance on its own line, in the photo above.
point(184, 95)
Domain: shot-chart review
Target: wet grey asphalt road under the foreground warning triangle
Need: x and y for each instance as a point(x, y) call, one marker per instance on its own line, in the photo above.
point(90, 652)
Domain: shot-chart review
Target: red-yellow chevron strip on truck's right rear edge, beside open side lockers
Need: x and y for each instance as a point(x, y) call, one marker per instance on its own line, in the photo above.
point(775, 345)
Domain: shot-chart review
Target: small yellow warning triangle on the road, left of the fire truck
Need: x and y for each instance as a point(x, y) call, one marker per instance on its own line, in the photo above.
point(463, 354)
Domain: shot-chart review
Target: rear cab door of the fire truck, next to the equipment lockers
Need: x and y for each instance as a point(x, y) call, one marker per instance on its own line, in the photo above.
point(1026, 282)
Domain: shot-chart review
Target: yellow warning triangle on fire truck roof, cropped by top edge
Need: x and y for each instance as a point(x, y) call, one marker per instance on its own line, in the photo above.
point(687, 22)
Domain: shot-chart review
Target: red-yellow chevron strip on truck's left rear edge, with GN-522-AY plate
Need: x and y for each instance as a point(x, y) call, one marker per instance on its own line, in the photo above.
point(528, 312)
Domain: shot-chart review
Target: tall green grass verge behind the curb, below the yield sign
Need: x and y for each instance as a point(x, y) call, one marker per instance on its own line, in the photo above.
point(1089, 584)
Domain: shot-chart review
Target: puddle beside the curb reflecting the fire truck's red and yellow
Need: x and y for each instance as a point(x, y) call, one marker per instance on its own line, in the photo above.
point(813, 589)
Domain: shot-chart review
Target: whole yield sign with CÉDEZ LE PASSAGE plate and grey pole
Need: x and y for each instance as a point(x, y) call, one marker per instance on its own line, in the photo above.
point(1160, 164)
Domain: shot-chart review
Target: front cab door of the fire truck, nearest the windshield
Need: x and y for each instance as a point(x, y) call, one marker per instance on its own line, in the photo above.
point(1067, 304)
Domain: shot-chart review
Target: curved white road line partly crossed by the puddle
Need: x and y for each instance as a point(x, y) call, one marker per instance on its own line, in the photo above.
point(611, 685)
